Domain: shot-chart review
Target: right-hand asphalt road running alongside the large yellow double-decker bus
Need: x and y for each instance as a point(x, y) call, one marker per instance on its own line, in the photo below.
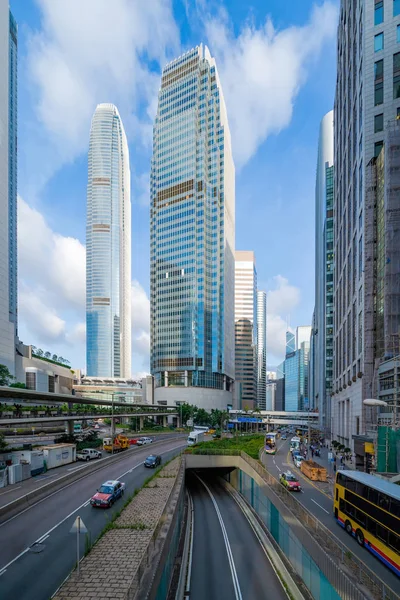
point(320, 503)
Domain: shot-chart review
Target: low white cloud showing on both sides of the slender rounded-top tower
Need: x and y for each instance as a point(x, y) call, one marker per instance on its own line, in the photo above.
point(52, 292)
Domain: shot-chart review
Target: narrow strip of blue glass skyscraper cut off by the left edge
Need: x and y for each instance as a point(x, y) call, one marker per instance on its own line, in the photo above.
point(8, 187)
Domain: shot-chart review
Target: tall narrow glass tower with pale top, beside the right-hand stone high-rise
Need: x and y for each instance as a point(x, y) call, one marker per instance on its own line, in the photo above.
point(321, 350)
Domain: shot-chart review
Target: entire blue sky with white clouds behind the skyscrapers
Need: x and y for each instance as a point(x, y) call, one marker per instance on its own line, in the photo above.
point(277, 64)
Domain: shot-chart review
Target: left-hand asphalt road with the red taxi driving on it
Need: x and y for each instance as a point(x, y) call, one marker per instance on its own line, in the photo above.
point(26, 574)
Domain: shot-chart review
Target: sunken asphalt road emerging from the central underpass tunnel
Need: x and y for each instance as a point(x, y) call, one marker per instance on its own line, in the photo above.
point(228, 561)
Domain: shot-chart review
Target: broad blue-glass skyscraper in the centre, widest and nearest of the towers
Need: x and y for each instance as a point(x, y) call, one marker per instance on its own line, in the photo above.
point(192, 236)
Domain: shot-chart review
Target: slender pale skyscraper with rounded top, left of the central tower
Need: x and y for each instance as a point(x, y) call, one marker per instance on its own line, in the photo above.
point(108, 248)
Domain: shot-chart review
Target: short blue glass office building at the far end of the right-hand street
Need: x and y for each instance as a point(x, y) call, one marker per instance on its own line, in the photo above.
point(296, 372)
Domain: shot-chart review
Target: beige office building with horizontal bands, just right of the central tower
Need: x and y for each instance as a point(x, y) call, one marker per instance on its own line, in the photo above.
point(246, 328)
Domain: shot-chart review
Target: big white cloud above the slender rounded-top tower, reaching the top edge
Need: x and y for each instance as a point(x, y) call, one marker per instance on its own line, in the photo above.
point(95, 51)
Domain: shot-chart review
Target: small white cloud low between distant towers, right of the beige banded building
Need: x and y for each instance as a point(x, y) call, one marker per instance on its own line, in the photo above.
point(281, 300)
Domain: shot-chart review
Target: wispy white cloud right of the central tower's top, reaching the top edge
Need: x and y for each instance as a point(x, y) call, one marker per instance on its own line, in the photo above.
point(262, 71)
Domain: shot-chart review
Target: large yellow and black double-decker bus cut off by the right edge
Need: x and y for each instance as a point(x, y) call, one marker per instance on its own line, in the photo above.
point(369, 508)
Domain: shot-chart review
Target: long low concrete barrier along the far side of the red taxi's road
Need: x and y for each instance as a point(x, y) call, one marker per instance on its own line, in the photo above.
point(16, 506)
